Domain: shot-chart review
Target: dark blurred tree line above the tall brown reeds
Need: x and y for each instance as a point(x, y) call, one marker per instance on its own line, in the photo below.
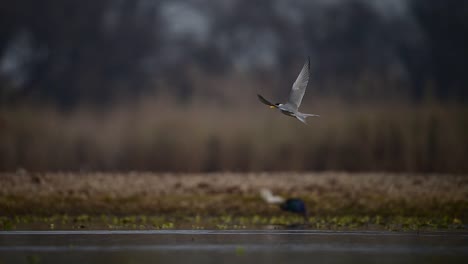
point(67, 52)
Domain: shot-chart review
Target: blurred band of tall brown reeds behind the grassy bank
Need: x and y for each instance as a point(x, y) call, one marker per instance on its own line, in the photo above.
point(161, 135)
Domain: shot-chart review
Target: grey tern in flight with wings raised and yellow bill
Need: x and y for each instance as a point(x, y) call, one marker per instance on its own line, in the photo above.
point(291, 108)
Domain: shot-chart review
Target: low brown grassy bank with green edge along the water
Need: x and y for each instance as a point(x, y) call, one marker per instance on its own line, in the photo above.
point(435, 200)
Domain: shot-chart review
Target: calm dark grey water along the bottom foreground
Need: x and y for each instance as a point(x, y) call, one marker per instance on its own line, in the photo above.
point(186, 246)
